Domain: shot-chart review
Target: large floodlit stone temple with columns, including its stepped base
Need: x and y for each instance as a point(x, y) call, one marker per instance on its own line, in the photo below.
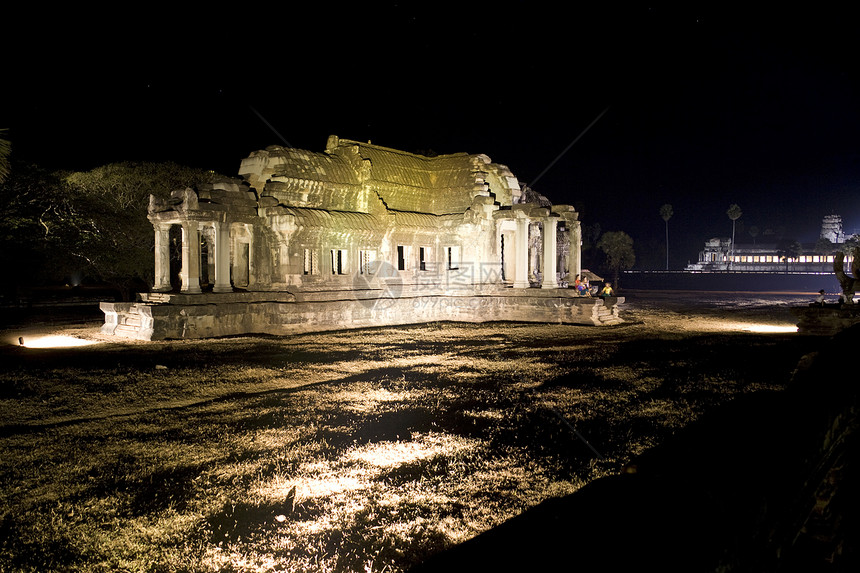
point(356, 236)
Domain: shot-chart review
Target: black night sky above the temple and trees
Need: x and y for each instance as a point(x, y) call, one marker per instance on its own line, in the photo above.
point(701, 107)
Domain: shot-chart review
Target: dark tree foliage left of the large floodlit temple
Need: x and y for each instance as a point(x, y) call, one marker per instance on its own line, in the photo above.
point(90, 225)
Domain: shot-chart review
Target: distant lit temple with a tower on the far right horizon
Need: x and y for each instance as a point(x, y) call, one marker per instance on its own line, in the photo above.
point(718, 255)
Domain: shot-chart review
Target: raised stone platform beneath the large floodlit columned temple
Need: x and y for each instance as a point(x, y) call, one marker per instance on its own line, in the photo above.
point(163, 316)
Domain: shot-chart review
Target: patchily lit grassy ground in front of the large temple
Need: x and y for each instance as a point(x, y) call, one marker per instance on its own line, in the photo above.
point(349, 451)
